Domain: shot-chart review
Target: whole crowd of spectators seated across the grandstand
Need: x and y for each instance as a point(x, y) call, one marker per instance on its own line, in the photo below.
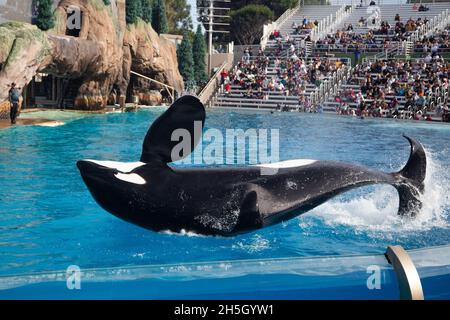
point(382, 88)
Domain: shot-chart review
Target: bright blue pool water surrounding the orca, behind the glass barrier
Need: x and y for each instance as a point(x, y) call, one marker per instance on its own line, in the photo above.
point(48, 219)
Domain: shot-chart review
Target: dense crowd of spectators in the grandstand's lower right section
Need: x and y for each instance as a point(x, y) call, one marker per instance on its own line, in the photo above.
point(396, 85)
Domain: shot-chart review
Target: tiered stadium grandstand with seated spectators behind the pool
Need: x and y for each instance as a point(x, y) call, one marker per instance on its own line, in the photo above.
point(288, 45)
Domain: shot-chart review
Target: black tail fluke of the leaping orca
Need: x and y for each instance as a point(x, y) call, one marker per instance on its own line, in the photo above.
point(410, 180)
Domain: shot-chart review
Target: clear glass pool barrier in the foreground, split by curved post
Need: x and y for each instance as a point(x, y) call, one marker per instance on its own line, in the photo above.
point(339, 277)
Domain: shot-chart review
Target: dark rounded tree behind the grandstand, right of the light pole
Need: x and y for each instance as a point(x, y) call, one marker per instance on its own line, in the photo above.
point(247, 23)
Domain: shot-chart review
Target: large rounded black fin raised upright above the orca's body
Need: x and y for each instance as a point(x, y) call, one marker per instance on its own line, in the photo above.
point(182, 114)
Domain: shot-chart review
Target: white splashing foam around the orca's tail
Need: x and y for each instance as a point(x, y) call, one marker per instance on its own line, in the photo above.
point(377, 211)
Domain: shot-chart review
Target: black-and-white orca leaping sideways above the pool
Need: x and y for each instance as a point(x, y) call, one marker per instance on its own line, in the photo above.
point(230, 200)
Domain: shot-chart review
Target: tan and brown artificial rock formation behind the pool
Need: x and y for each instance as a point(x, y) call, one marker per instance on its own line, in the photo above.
point(99, 58)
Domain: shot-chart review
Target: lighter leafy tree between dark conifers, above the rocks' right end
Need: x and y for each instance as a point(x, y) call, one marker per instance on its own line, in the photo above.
point(178, 16)
